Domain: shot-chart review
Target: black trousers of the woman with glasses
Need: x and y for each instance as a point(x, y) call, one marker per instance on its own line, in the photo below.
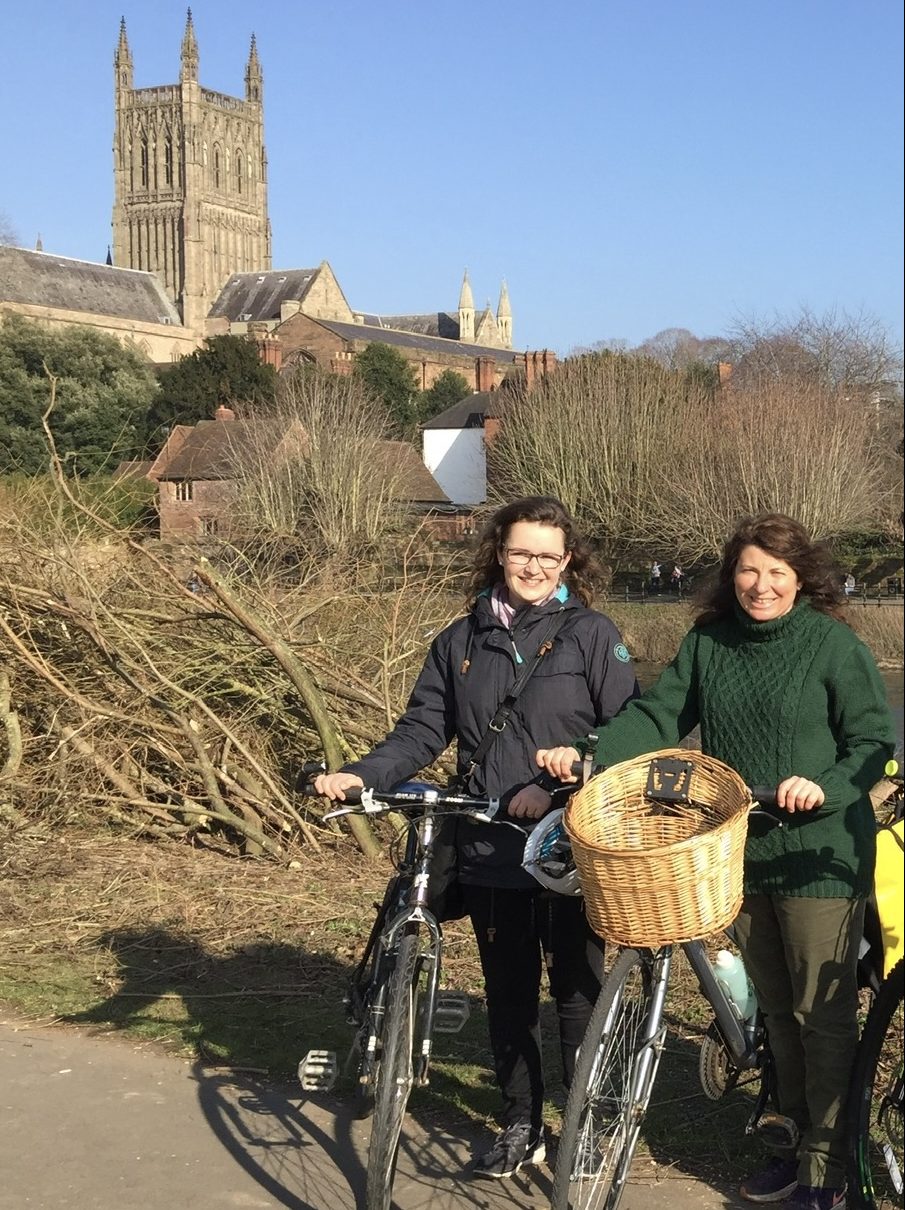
point(514, 930)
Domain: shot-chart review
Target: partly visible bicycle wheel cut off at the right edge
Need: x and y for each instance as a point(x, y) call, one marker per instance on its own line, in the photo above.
point(875, 1121)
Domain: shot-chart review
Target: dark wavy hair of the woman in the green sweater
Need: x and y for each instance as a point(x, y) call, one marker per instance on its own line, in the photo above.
point(785, 539)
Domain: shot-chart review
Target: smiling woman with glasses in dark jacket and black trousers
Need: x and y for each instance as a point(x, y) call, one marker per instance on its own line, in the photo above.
point(532, 586)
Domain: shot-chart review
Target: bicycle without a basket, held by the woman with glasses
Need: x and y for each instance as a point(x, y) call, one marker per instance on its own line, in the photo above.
point(395, 1001)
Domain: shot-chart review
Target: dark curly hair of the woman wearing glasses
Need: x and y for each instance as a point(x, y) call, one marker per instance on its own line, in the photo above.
point(583, 573)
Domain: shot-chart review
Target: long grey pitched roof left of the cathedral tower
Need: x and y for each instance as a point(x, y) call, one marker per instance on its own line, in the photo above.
point(39, 279)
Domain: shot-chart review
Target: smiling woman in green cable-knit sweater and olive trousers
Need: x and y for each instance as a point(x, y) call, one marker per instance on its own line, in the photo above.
point(786, 694)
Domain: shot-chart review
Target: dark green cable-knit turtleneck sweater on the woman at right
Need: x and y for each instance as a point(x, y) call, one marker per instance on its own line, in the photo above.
point(796, 696)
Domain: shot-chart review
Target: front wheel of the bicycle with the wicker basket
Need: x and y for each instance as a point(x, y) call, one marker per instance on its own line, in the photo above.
point(612, 1087)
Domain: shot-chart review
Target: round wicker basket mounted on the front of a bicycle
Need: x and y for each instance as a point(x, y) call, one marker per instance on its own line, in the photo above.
point(658, 874)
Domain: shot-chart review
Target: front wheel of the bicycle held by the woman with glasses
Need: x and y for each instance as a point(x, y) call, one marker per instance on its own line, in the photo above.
point(396, 1073)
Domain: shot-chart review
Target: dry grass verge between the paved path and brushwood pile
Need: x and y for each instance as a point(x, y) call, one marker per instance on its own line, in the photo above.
point(244, 965)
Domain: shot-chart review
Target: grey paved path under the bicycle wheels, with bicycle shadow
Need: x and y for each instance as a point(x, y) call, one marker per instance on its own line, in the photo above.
point(105, 1123)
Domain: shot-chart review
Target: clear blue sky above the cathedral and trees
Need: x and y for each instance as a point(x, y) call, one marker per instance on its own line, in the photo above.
point(626, 166)
